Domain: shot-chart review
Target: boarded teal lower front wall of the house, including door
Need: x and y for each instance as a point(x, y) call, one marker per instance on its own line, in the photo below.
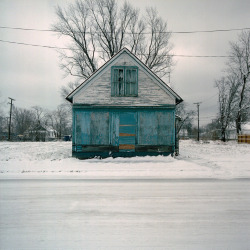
point(116, 130)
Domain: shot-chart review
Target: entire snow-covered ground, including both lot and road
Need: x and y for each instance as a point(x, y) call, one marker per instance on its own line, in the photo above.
point(199, 200)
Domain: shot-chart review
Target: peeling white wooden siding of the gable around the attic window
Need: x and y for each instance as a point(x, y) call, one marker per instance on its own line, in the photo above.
point(99, 91)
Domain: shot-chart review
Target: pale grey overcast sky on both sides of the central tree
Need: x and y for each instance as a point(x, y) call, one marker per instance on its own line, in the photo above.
point(31, 75)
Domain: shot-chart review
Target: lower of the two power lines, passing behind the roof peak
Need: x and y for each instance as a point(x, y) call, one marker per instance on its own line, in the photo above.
point(55, 47)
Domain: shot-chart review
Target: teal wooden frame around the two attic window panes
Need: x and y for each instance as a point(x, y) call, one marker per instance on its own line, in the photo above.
point(124, 68)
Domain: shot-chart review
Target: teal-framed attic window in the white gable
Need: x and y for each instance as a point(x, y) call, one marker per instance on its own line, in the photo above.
point(124, 81)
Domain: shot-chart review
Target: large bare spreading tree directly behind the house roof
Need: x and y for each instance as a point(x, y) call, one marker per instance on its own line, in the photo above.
point(97, 29)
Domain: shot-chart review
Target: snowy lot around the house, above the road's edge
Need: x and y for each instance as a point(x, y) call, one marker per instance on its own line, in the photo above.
point(213, 159)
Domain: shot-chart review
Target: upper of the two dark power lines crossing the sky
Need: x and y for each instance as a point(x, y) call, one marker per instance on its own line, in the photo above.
point(160, 32)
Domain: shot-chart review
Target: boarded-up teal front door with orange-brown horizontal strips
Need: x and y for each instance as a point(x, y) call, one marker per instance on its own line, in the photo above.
point(127, 132)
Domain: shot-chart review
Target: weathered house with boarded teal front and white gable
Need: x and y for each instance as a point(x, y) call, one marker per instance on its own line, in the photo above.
point(123, 109)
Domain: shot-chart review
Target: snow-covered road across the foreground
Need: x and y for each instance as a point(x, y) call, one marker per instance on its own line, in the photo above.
point(125, 214)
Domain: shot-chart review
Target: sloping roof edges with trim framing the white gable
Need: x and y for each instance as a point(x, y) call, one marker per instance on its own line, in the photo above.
point(163, 85)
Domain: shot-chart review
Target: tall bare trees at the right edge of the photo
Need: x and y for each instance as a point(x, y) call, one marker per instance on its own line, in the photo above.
point(234, 89)
